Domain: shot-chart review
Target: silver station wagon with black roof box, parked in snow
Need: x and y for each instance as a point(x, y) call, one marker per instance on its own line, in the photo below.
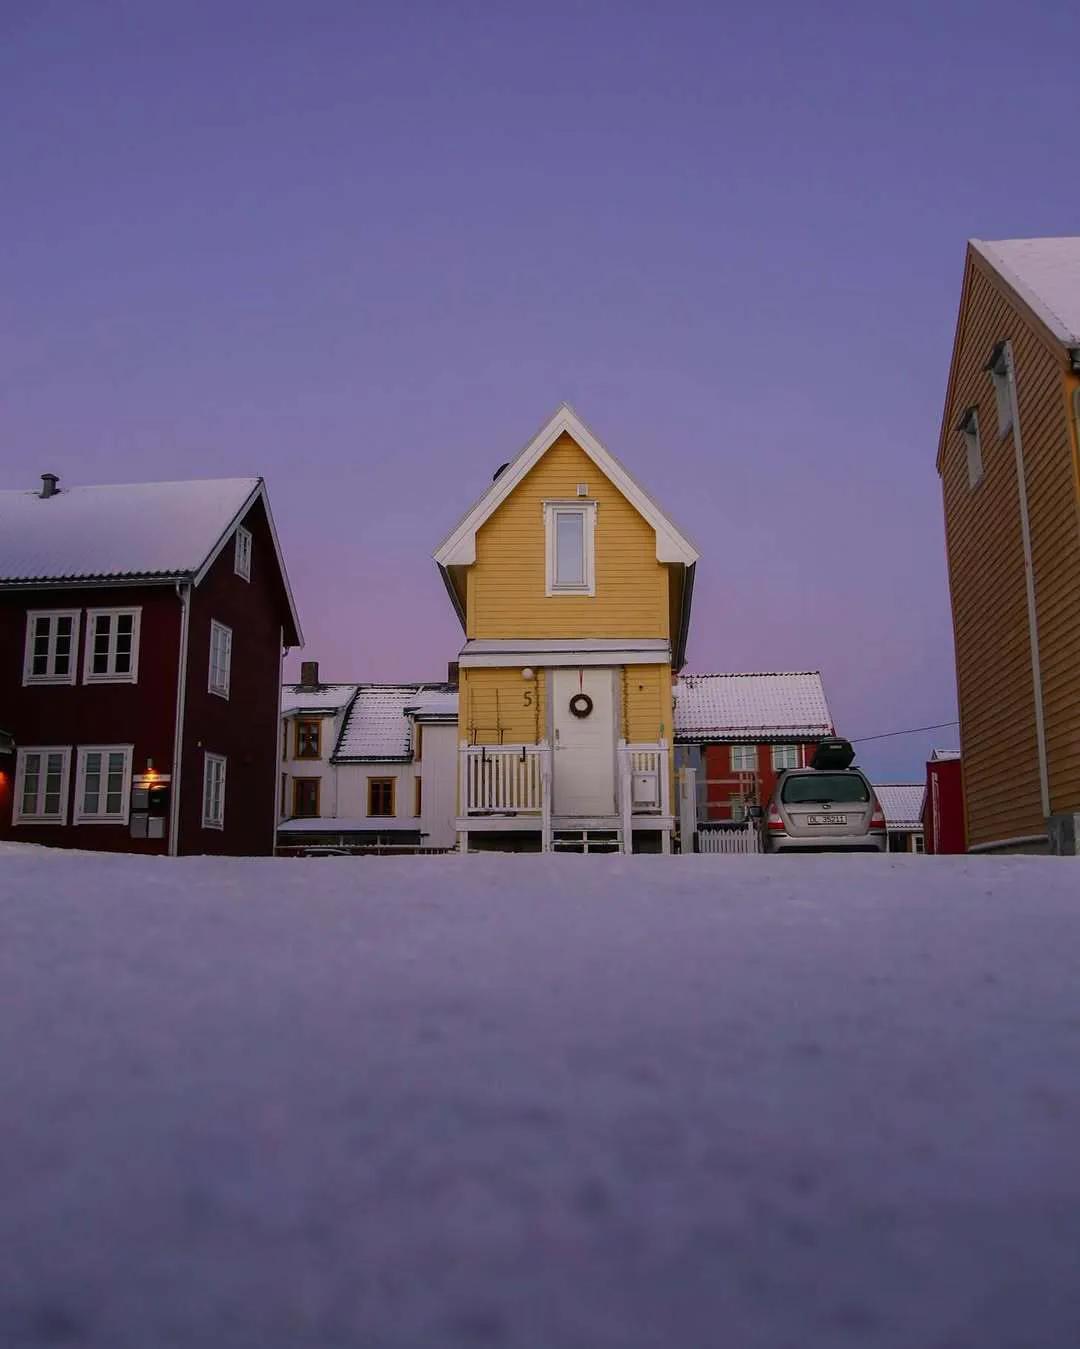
point(829, 807)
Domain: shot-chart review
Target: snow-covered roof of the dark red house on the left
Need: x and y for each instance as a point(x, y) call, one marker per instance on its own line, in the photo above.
point(125, 529)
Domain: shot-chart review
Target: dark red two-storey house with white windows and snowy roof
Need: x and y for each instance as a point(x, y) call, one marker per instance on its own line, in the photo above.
point(142, 631)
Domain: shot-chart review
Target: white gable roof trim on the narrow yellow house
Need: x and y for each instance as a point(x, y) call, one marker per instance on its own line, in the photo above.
point(459, 548)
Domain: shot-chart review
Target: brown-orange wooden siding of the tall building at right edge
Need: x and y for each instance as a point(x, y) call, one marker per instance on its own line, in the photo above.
point(988, 579)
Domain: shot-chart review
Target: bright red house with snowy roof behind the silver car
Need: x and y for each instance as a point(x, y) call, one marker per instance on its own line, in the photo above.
point(738, 732)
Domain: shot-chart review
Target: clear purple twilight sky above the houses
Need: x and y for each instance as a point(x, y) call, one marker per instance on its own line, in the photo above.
point(366, 252)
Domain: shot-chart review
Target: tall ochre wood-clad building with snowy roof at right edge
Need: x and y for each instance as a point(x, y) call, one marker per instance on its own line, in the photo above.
point(1009, 459)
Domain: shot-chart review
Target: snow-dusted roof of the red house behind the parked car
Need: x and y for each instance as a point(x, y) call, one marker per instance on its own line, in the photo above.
point(731, 708)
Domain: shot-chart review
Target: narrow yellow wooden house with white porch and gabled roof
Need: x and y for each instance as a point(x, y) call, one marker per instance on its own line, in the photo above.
point(574, 590)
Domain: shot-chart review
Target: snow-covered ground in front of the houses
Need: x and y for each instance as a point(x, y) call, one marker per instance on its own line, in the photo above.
point(548, 1103)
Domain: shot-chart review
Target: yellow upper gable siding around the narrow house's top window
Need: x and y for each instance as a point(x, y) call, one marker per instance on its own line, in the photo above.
point(506, 586)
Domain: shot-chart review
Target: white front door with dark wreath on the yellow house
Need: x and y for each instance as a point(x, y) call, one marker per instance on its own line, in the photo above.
point(584, 741)
